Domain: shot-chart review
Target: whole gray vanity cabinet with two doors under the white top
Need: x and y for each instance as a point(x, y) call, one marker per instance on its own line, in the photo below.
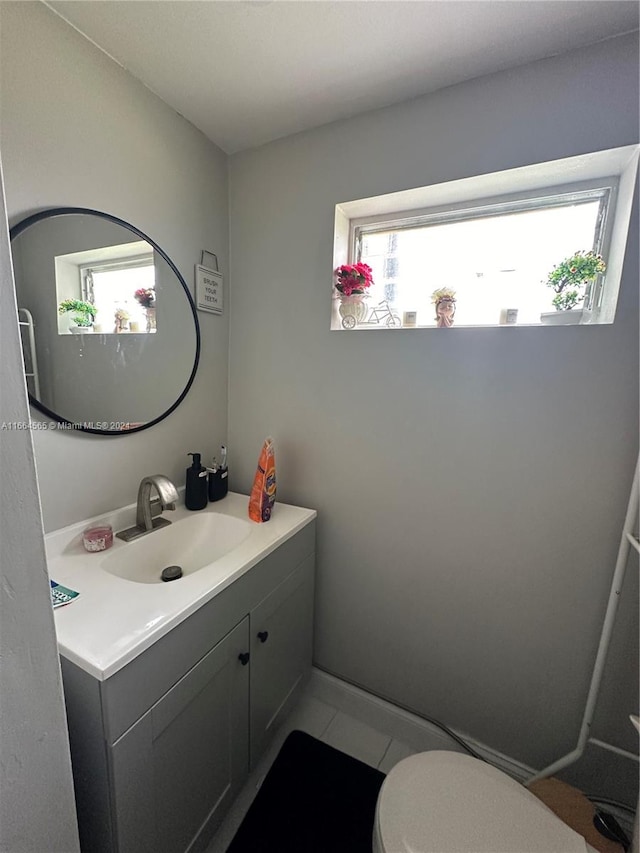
point(161, 748)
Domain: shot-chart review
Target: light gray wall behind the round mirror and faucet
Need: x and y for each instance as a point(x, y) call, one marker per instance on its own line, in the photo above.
point(77, 130)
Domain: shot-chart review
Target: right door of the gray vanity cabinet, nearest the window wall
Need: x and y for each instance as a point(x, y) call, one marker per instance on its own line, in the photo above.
point(281, 649)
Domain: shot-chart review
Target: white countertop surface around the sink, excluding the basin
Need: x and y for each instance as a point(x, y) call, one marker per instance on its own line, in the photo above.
point(113, 620)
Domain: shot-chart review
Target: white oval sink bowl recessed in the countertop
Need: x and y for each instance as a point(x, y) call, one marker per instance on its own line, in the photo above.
point(191, 543)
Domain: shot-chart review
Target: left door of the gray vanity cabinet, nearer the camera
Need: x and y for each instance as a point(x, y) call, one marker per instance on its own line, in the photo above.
point(175, 772)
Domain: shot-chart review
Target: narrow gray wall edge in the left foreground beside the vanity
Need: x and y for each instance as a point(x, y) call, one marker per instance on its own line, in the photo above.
point(37, 809)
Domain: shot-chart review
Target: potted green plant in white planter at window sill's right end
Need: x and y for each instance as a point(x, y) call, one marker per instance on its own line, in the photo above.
point(569, 280)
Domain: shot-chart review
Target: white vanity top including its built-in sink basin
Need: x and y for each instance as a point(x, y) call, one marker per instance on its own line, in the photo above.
point(123, 606)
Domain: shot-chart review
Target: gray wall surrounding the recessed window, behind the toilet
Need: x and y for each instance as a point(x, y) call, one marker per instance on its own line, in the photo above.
point(471, 484)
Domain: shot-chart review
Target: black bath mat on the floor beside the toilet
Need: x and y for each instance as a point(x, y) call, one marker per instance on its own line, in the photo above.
point(314, 799)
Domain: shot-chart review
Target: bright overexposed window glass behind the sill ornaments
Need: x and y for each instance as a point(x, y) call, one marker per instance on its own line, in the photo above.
point(495, 256)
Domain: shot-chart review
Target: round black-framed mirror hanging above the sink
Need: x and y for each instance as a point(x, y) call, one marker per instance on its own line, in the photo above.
point(109, 329)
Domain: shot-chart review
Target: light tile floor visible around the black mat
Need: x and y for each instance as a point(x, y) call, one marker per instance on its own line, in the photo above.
point(344, 731)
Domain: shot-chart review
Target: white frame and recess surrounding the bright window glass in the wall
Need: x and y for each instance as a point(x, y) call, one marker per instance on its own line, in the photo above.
point(540, 185)
